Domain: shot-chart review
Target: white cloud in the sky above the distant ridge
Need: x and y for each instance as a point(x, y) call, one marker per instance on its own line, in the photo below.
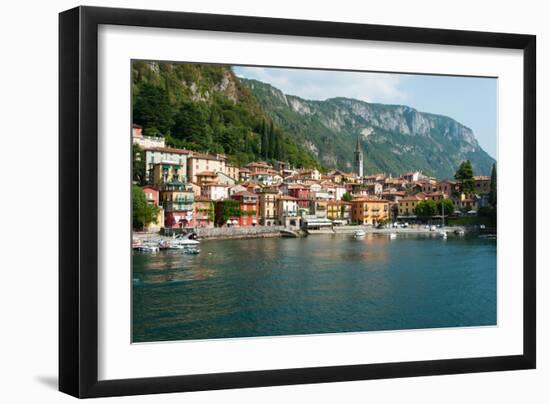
point(323, 84)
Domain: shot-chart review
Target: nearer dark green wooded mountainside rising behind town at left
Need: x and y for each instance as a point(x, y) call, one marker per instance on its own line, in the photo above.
point(206, 108)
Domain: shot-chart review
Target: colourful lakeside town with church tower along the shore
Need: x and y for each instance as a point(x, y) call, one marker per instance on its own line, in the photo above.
point(184, 191)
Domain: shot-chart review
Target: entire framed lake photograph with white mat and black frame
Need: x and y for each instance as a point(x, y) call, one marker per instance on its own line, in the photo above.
point(251, 201)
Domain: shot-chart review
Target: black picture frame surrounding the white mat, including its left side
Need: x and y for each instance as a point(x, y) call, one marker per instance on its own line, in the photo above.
point(78, 196)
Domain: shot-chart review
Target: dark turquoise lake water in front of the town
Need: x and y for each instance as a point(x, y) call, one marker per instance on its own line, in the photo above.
point(318, 284)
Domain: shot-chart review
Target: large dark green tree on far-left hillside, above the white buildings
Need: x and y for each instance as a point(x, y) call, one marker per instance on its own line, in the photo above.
point(152, 110)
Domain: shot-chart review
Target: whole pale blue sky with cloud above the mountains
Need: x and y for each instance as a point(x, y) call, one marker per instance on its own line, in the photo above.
point(472, 101)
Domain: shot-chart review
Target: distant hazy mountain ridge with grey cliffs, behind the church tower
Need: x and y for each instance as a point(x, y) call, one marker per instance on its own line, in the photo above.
point(394, 138)
